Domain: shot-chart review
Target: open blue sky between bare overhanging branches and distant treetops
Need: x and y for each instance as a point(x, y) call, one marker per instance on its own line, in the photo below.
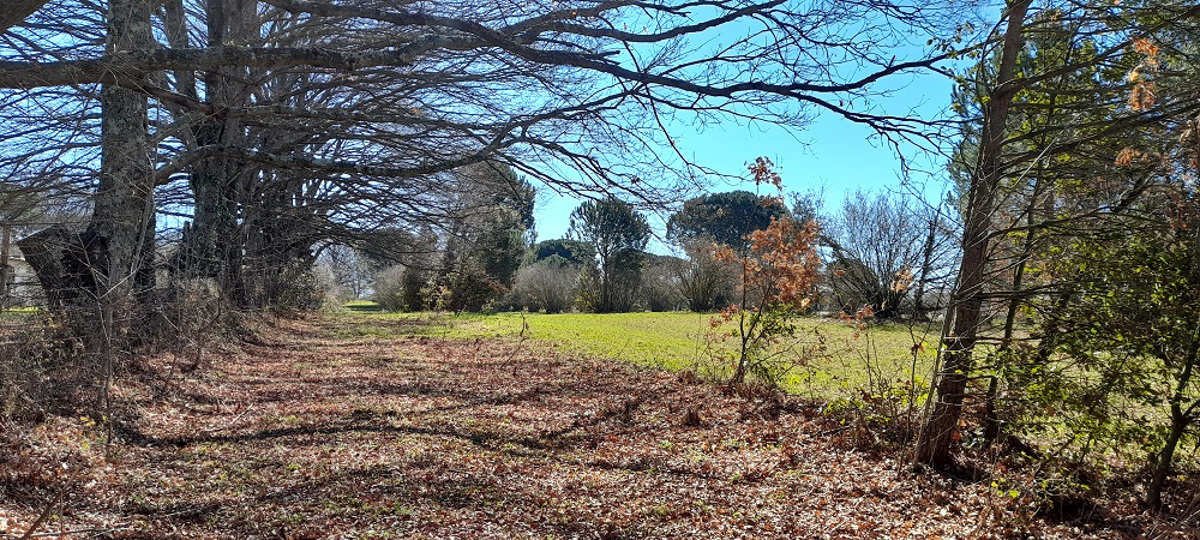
point(830, 154)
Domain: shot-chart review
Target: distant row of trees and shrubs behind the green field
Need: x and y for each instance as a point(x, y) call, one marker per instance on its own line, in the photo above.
point(887, 253)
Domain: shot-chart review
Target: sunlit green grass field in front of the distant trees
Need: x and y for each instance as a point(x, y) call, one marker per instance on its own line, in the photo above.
point(850, 358)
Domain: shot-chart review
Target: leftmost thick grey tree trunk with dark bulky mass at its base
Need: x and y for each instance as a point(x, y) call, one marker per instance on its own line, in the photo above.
point(104, 267)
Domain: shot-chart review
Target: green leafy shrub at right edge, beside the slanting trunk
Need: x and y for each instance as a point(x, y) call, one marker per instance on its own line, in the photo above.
point(1131, 334)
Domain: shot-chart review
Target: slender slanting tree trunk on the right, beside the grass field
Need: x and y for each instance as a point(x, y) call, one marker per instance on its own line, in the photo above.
point(939, 433)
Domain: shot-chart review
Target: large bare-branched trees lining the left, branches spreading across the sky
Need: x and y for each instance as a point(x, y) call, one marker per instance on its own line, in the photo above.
point(248, 135)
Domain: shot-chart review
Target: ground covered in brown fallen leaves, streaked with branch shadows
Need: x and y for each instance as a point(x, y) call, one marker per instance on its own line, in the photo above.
point(313, 434)
